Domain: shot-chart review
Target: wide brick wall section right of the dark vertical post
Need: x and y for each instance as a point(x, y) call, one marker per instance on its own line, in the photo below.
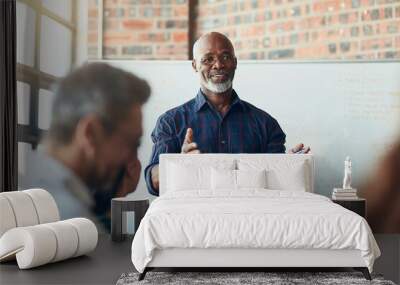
point(290, 29)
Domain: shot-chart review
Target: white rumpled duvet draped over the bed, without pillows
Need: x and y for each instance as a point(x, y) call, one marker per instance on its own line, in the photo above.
point(252, 218)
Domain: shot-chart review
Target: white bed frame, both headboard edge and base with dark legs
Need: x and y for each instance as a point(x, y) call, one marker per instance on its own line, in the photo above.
point(242, 259)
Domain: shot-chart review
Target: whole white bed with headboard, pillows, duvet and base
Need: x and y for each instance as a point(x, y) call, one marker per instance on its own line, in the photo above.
point(215, 211)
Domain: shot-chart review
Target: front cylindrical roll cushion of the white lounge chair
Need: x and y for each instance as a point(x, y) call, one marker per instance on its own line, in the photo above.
point(40, 244)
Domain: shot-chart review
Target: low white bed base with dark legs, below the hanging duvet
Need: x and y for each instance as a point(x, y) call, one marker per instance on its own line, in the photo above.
point(259, 259)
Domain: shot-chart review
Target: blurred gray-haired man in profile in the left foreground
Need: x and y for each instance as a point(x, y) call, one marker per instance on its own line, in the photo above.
point(94, 133)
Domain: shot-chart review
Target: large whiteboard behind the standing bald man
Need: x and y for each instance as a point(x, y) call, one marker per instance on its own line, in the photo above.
point(337, 108)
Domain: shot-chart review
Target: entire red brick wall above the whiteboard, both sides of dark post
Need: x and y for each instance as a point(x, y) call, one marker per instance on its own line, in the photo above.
point(259, 29)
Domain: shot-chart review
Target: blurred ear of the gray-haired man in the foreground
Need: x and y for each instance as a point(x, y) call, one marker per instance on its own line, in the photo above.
point(88, 134)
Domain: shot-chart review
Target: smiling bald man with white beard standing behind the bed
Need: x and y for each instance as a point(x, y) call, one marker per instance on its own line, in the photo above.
point(216, 120)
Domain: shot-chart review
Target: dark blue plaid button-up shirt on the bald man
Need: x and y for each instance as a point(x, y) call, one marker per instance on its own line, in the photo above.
point(243, 129)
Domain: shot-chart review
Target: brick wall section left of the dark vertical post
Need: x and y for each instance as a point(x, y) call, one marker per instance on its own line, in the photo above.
point(141, 29)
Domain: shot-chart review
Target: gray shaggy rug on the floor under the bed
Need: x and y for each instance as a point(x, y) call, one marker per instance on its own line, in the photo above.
point(270, 278)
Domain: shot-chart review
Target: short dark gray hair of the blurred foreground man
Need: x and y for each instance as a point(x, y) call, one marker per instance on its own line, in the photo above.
point(95, 88)
